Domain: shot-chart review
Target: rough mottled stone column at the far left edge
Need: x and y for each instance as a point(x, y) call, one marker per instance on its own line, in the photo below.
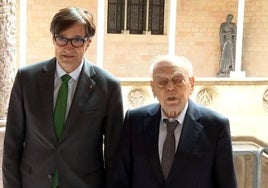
point(7, 52)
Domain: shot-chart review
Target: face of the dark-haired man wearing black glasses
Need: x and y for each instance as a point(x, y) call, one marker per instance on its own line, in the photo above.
point(68, 56)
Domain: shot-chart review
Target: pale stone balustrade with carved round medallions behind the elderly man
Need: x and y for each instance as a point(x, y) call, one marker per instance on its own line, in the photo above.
point(244, 102)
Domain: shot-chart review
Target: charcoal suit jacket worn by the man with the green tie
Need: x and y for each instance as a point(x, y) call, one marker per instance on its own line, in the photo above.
point(31, 150)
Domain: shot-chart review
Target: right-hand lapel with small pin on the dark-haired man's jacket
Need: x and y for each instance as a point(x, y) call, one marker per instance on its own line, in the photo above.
point(84, 89)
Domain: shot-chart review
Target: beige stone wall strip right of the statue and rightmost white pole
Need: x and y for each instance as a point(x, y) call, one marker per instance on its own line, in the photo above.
point(255, 51)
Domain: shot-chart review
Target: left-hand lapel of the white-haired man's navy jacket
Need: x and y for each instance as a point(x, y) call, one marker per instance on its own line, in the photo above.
point(150, 136)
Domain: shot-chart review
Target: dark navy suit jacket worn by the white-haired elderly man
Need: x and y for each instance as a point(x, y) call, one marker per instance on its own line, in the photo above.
point(203, 158)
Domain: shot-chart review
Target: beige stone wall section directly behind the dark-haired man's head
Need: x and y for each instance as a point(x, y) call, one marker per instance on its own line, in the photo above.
point(39, 16)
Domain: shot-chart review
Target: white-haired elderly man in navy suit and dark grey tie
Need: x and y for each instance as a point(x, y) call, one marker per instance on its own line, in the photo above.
point(201, 154)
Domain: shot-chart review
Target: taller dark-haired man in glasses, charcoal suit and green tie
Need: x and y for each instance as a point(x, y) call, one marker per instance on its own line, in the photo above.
point(35, 154)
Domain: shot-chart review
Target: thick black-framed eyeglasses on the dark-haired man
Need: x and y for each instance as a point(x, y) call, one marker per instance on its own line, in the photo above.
point(76, 42)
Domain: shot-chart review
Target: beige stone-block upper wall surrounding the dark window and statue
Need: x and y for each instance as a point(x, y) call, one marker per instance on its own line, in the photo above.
point(197, 37)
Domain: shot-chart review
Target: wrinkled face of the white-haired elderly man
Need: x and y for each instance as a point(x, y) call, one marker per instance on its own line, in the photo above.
point(172, 86)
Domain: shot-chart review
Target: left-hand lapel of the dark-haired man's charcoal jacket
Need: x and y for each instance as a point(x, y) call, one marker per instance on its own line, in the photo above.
point(45, 95)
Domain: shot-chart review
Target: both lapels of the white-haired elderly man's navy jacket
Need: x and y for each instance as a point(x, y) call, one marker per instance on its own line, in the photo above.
point(189, 136)
